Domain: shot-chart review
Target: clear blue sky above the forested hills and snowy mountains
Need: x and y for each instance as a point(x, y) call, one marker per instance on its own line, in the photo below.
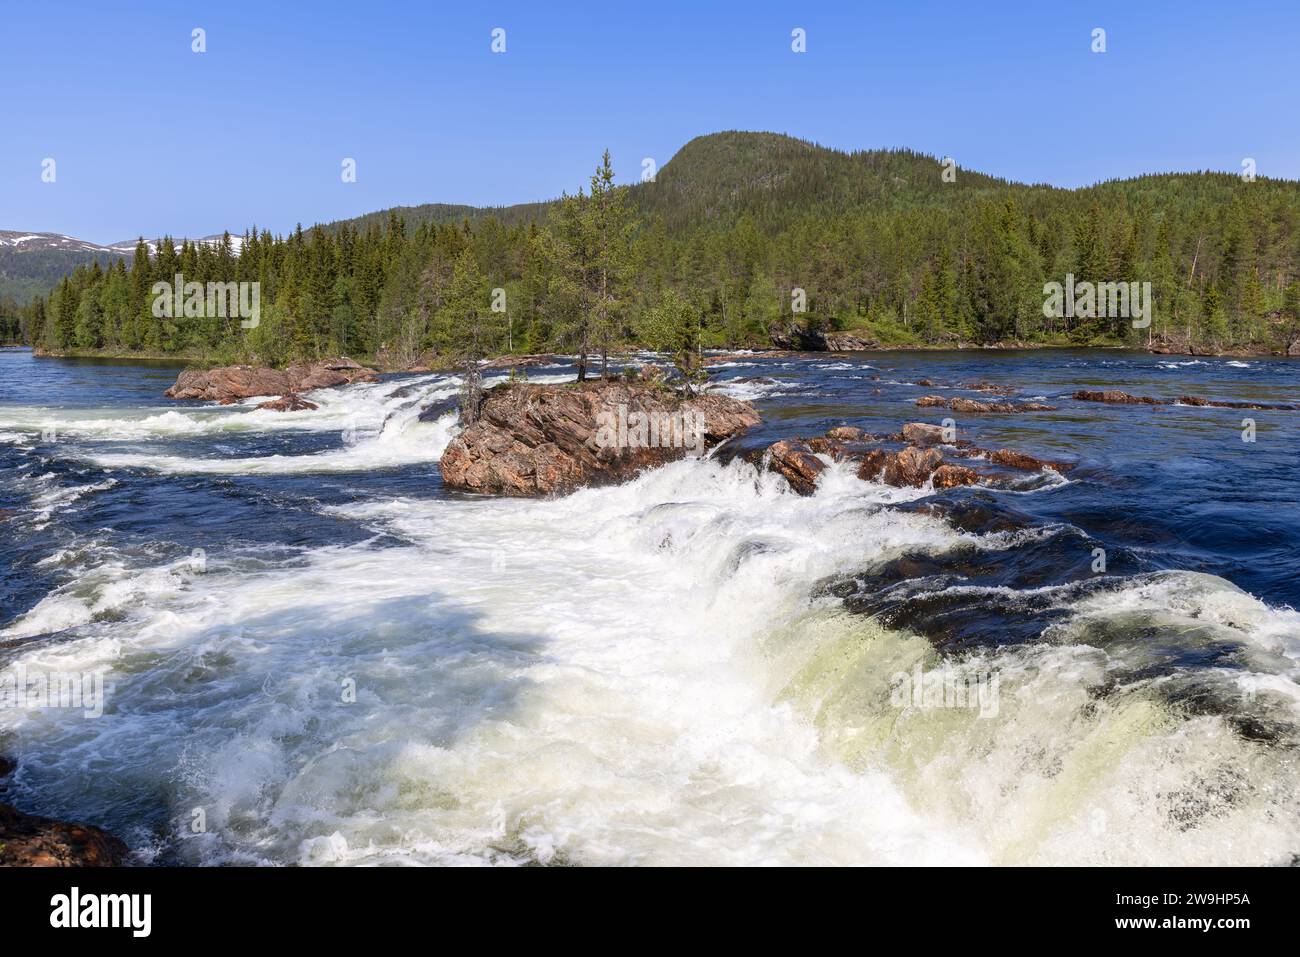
point(153, 138)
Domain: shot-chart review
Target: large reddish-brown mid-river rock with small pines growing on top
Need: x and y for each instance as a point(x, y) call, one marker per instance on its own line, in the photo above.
point(540, 440)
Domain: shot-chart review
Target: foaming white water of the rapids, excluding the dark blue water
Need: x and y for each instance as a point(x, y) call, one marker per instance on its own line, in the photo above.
point(629, 675)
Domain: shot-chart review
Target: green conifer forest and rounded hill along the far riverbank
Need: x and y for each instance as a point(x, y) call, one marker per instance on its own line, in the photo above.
point(733, 235)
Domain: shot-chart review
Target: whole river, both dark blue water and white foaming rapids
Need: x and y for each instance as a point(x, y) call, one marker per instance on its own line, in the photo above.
point(318, 655)
